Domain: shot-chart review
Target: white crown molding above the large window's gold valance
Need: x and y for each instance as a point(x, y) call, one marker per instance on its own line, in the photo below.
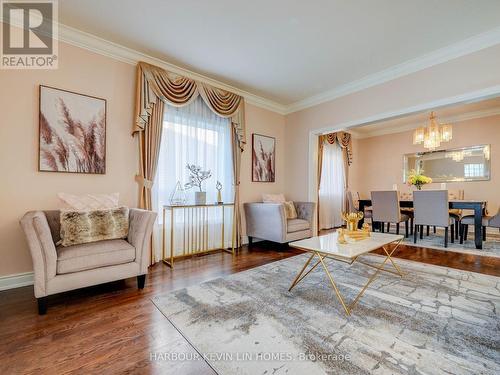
point(127, 55)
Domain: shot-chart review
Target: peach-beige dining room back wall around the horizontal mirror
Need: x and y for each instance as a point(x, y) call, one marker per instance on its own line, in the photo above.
point(380, 160)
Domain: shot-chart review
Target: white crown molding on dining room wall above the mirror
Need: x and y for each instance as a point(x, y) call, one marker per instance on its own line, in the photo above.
point(411, 126)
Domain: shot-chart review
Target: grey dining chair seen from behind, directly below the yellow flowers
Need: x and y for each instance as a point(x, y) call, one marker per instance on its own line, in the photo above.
point(431, 209)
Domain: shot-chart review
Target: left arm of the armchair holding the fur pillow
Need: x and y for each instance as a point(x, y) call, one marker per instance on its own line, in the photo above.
point(42, 248)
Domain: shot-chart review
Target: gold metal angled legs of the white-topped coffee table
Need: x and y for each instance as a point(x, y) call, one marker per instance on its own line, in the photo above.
point(321, 260)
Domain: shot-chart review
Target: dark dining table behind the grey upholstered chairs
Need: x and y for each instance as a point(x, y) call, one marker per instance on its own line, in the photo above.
point(478, 206)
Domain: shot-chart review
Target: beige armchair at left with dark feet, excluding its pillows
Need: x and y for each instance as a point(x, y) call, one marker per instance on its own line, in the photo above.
point(58, 269)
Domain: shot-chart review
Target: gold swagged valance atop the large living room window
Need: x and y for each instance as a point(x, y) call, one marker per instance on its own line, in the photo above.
point(155, 83)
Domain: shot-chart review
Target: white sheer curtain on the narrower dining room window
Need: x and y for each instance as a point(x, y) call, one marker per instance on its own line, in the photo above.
point(331, 189)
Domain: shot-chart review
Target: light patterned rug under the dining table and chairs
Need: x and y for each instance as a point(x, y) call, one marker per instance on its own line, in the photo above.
point(491, 247)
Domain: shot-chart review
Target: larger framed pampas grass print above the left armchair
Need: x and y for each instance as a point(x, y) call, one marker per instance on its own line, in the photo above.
point(72, 132)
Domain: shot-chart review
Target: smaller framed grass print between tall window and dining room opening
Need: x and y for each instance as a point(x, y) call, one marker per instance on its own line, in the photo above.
point(263, 158)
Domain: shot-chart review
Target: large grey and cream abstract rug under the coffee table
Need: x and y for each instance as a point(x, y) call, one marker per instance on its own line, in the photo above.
point(434, 320)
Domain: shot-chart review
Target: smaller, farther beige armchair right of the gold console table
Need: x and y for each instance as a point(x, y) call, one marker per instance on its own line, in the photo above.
point(267, 221)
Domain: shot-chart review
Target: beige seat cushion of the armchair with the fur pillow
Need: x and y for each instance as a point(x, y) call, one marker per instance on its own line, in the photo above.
point(93, 255)
